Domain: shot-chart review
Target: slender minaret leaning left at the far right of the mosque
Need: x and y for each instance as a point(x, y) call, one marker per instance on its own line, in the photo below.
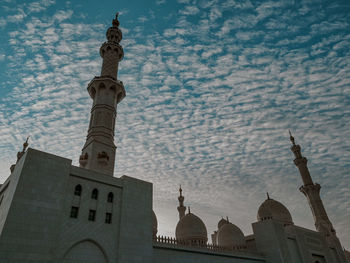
point(312, 193)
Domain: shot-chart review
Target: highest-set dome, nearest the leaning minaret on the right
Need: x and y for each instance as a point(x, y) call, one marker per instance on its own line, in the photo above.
point(272, 209)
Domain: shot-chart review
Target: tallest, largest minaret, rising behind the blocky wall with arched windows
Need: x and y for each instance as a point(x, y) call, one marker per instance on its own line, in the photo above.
point(107, 91)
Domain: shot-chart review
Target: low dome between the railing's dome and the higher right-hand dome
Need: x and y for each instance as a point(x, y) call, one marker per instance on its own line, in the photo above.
point(230, 236)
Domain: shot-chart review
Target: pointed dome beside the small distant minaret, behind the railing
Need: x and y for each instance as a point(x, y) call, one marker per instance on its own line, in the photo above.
point(191, 228)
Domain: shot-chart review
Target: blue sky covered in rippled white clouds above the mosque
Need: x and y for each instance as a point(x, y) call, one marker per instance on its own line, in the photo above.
point(212, 89)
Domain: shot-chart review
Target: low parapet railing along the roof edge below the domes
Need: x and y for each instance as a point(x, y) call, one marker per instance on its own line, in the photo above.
point(195, 244)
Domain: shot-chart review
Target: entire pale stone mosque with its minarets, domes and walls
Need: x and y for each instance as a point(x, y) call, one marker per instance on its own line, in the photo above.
point(52, 211)
